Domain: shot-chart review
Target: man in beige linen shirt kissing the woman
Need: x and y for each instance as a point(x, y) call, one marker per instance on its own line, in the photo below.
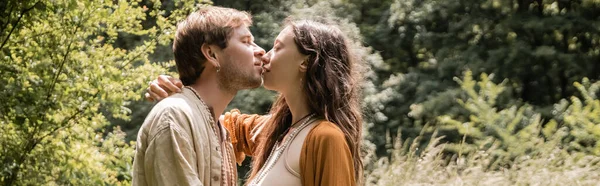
point(180, 142)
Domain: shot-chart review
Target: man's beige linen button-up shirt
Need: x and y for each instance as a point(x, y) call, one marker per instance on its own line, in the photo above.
point(177, 145)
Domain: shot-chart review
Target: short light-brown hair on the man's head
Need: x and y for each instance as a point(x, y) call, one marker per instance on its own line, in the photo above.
point(210, 25)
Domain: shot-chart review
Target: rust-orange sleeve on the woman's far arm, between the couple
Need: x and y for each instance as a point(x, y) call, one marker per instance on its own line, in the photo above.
point(244, 130)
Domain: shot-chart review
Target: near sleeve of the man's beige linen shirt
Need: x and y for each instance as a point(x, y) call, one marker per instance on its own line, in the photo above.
point(170, 157)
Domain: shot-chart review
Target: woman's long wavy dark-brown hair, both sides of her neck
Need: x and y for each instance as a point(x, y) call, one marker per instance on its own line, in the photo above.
point(331, 86)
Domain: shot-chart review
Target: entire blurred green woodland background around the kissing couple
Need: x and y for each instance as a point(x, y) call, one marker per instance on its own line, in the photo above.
point(456, 92)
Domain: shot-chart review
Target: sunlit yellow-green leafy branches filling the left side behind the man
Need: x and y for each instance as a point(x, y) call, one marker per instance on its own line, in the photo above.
point(63, 74)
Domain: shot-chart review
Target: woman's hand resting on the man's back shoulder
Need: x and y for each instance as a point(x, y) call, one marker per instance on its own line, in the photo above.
point(163, 87)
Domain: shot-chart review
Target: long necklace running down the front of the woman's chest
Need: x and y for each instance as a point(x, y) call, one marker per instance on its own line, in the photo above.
point(277, 150)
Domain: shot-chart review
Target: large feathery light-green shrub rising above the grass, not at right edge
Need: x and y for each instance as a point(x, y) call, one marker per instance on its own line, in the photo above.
point(515, 130)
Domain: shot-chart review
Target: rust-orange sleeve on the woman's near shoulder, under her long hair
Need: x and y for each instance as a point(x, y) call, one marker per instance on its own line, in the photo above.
point(325, 158)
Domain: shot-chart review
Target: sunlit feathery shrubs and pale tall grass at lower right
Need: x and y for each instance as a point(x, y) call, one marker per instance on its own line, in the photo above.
point(508, 146)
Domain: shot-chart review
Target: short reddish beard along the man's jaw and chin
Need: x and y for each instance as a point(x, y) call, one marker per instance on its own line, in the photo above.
point(232, 78)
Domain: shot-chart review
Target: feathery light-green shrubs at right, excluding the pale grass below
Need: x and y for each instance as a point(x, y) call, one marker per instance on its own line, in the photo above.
point(518, 130)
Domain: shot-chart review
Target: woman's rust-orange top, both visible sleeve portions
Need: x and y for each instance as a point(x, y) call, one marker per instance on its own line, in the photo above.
point(325, 156)
